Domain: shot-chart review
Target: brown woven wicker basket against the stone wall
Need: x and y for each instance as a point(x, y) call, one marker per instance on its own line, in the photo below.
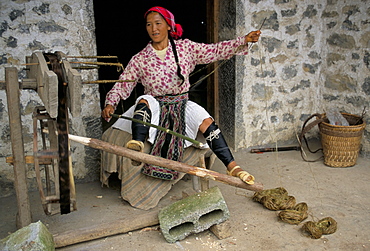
point(341, 144)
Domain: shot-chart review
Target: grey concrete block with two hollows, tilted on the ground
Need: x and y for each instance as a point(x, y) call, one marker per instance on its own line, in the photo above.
point(193, 214)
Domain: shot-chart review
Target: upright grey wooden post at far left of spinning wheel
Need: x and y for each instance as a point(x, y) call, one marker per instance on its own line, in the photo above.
point(19, 162)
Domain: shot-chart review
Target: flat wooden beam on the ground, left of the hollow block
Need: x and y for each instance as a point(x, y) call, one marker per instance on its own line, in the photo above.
point(107, 229)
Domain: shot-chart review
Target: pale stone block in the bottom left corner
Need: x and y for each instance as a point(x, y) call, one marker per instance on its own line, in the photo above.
point(34, 237)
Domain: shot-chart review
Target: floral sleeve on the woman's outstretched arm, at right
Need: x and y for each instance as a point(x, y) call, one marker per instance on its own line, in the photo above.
point(207, 53)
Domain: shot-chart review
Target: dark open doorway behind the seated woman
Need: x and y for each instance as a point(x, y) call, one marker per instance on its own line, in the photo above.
point(120, 31)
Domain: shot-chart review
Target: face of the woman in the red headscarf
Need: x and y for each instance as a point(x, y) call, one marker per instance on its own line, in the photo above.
point(157, 27)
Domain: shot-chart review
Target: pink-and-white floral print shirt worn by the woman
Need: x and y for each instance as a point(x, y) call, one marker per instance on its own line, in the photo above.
point(160, 77)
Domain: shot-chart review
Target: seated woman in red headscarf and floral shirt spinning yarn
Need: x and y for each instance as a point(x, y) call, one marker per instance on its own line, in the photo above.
point(163, 68)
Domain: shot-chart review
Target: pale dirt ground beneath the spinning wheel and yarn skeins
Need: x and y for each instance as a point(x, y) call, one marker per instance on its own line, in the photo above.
point(340, 193)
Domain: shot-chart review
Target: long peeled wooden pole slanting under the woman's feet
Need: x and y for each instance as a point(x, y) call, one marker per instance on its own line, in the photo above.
point(174, 165)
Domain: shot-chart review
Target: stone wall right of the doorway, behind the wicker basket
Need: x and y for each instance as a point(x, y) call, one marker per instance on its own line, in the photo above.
point(312, 56)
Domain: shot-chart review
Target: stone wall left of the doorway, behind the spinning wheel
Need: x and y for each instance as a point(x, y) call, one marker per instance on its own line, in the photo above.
point(48, 26)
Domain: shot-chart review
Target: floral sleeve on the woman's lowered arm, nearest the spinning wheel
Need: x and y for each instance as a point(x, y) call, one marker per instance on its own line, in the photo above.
point(122, 90)
